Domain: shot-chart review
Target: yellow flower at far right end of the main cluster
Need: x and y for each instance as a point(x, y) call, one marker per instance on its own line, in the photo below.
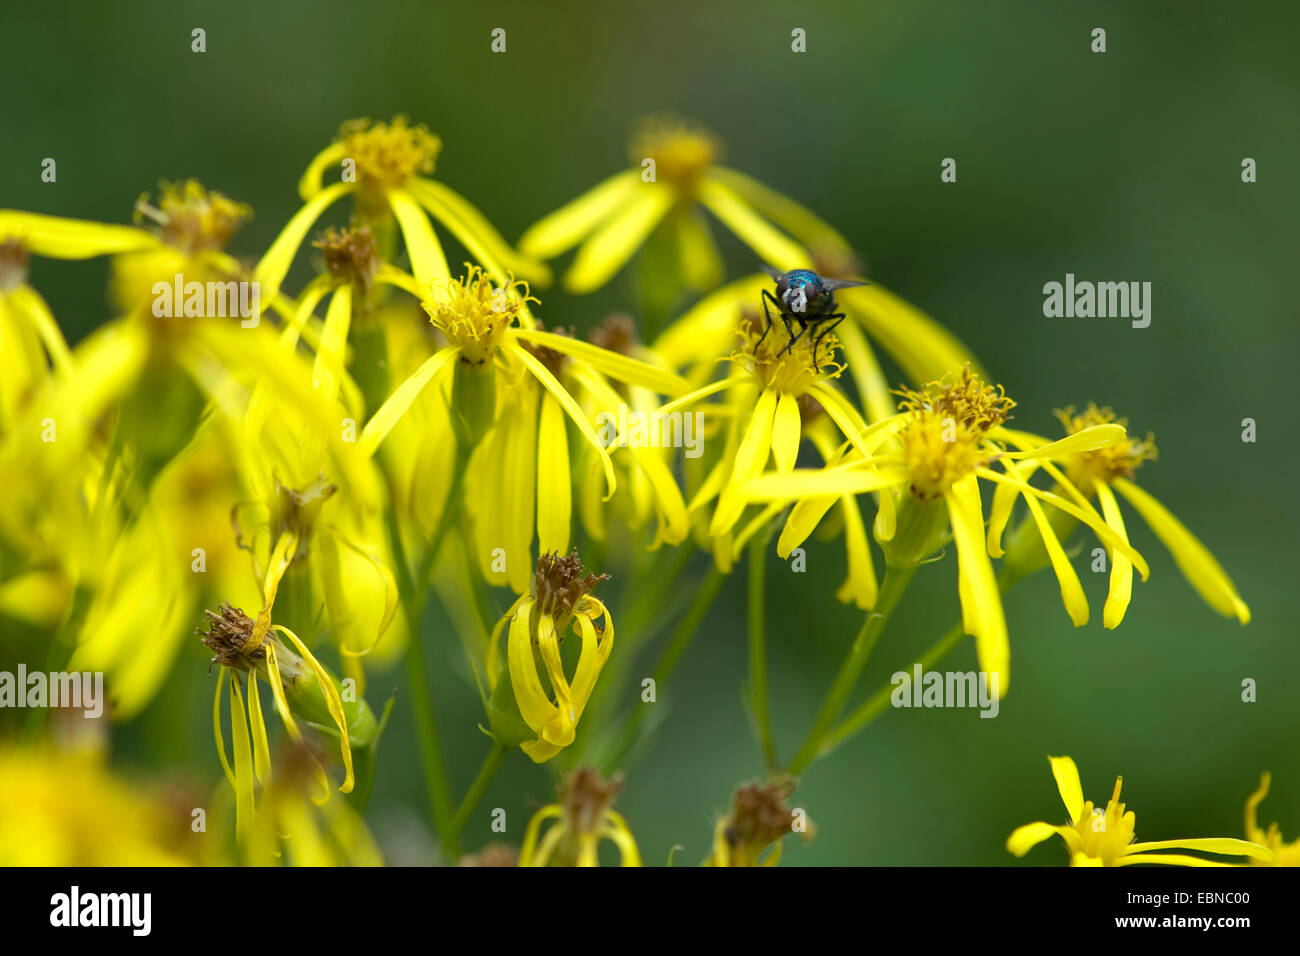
point(1099, 471)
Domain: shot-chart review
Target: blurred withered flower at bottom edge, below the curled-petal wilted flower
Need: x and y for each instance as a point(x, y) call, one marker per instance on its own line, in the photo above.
point(583, 816)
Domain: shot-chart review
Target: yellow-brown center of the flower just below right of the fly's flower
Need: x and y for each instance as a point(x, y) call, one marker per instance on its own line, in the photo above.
point(943, 439)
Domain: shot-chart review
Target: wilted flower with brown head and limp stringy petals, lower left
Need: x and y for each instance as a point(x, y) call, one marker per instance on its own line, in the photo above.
point(298, 684)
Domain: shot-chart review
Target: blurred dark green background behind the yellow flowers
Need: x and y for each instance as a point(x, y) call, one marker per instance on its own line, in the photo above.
point(1124, 166)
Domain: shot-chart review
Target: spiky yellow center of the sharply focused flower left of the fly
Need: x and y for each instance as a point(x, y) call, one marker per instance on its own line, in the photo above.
point(474, 314)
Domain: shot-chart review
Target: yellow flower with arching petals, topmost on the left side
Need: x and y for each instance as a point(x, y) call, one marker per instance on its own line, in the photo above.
point(387, 167)
